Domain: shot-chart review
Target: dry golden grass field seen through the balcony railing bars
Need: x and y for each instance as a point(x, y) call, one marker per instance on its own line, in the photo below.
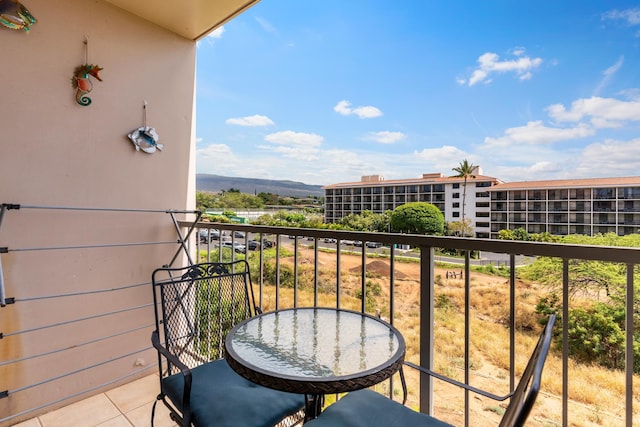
point(596, 394)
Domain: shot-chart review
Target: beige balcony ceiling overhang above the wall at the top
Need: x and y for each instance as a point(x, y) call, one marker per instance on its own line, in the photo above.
point(192, 19)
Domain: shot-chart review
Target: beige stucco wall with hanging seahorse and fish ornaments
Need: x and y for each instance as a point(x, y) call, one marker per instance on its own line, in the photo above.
point(54, 152)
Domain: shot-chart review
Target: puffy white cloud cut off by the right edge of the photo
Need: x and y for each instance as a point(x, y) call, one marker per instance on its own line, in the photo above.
point(603, 112)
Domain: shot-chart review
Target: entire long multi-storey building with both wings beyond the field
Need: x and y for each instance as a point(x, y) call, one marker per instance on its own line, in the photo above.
point(560, 207)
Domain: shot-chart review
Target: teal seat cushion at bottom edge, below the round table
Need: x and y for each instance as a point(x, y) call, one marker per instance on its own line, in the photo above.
point(366, 408)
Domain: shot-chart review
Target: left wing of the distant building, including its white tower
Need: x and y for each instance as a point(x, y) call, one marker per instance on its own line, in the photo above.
point(374, 193)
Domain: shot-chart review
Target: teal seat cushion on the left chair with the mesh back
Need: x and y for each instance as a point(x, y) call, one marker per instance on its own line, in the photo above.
point(220, 397)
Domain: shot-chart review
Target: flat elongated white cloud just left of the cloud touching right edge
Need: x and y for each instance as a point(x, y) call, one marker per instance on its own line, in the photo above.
point(535, 132)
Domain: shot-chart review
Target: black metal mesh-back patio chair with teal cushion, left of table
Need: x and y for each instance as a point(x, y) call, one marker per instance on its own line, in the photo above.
point(195, 307)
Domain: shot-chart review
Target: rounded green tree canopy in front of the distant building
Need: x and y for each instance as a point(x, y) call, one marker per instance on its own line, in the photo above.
point(418, 217)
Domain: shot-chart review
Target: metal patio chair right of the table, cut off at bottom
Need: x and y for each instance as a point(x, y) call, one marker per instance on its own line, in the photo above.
point(366, 408)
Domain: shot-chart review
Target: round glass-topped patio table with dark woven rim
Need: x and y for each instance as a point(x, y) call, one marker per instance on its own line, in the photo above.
point(315, 350)
